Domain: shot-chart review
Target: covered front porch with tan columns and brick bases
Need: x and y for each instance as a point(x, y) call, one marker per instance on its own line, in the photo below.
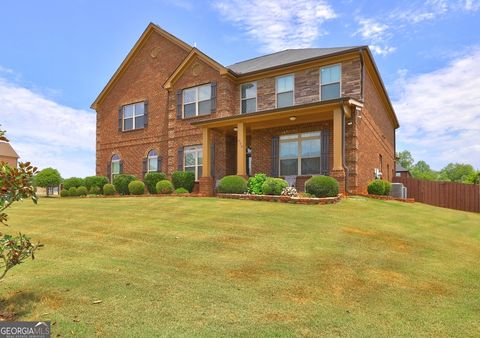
point(253, 143)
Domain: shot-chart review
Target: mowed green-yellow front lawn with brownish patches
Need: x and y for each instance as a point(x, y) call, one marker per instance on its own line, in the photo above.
point(212, 267)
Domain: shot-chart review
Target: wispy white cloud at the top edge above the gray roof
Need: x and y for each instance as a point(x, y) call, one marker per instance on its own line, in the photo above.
point(278, 25)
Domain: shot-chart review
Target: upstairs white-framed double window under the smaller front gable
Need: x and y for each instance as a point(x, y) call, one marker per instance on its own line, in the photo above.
point(197, 101)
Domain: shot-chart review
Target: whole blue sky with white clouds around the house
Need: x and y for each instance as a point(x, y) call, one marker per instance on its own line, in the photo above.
point(56, 56)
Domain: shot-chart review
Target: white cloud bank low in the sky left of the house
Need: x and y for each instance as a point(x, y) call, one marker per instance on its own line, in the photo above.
point(46, 133)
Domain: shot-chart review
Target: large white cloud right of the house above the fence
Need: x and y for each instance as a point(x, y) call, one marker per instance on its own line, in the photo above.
point(439, 113)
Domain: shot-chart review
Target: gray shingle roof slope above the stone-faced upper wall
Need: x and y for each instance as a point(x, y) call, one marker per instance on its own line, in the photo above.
point(285, 57)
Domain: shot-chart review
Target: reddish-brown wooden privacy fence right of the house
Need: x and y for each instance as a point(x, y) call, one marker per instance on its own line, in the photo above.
point(443, 194)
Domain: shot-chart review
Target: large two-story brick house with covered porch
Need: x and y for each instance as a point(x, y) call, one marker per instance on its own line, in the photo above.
point(295, 113)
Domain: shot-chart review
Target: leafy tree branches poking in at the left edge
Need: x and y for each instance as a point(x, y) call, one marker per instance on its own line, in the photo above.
point(15, 185)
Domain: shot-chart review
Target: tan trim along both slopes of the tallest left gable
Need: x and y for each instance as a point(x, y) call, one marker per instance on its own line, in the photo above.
point(148, 31)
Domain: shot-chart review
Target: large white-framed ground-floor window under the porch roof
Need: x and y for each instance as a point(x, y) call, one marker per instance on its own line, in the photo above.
point(300, 154)
